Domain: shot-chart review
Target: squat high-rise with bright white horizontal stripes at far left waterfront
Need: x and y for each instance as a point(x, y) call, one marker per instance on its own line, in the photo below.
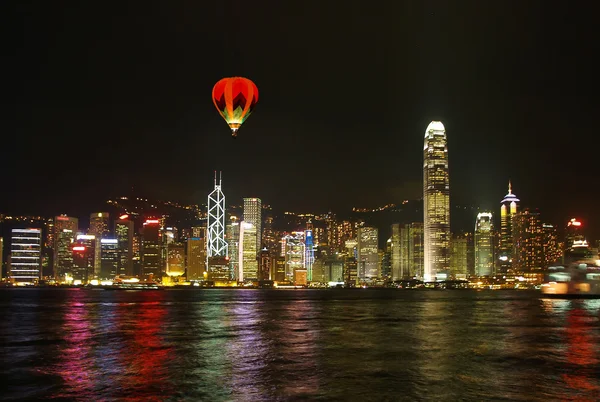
point(25, 255)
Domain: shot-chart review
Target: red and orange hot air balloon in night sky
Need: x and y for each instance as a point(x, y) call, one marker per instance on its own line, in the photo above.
point(235, 99)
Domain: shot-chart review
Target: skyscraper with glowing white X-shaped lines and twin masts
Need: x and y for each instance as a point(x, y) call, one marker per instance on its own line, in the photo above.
point(216, 244)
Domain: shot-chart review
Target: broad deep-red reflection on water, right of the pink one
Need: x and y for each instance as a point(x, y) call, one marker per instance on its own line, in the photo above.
point(146, 358)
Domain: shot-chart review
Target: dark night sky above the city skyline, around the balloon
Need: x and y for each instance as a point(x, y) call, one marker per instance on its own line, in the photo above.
point(99, 97)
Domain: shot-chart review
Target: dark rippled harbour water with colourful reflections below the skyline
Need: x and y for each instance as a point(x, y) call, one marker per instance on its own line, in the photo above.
point(272, 345)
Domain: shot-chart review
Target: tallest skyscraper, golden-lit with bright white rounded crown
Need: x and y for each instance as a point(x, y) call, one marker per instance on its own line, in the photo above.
point(436, 201)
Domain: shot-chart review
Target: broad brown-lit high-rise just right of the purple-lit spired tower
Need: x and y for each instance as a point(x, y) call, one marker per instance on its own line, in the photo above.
point(528, 242)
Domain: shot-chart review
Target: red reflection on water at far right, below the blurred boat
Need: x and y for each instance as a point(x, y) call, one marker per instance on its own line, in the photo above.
point(581, 353)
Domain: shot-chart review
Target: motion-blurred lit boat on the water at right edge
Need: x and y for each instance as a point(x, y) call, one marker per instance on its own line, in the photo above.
point(579, 277)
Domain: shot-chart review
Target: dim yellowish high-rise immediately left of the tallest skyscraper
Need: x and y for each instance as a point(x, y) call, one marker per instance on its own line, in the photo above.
point(411, 250)
